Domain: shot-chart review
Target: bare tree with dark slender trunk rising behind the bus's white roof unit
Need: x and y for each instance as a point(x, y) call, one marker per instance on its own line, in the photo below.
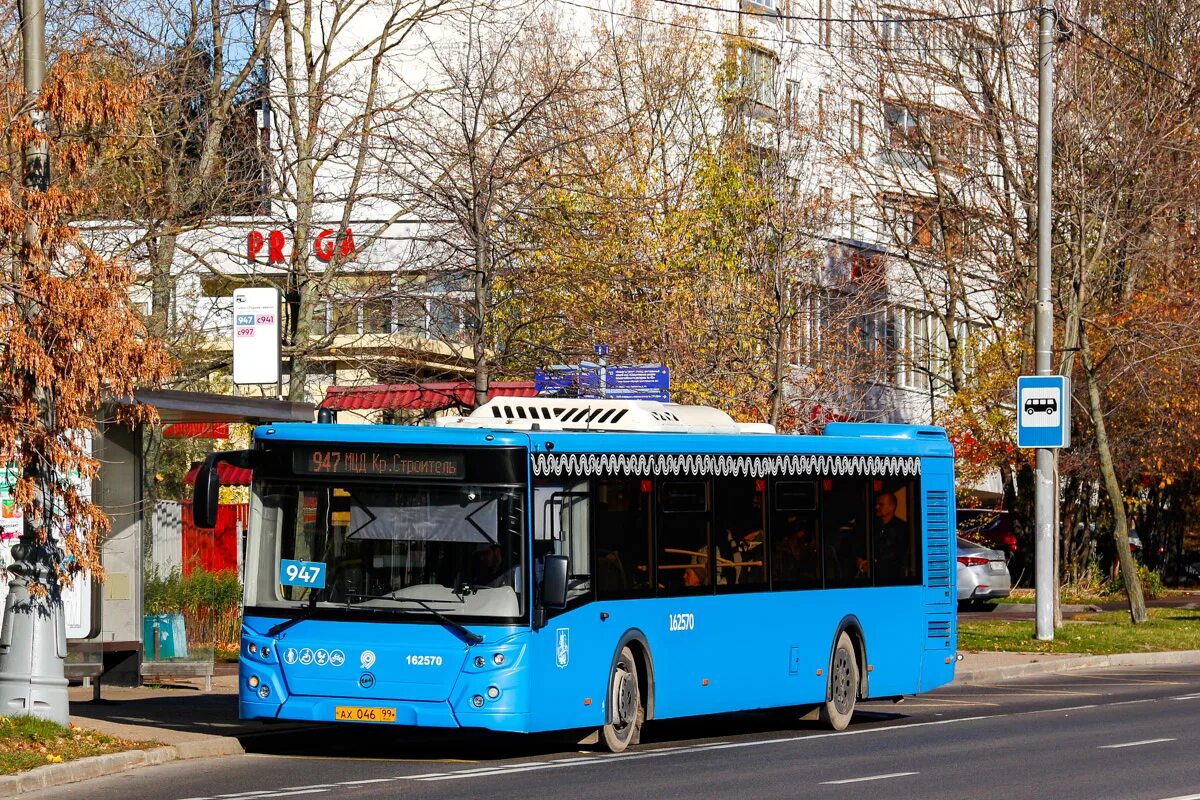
point(508, 89)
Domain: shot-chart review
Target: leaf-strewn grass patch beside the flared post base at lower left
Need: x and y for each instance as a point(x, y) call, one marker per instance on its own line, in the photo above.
point(28, 742)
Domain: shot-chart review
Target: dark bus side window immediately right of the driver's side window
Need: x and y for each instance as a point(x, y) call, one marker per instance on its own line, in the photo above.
point(623, 537)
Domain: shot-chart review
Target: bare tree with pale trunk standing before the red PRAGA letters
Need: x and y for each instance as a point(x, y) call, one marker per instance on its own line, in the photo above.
point(335, 86)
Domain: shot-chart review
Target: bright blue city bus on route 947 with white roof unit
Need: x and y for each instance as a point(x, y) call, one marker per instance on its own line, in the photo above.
point(550, 564)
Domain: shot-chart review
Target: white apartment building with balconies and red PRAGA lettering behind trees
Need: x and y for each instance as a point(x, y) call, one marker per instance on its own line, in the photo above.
point(878, 112)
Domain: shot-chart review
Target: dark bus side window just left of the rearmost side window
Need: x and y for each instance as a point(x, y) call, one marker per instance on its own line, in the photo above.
point(844, 532)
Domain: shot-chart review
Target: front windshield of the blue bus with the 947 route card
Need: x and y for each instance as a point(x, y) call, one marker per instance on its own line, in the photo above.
point(405, 549)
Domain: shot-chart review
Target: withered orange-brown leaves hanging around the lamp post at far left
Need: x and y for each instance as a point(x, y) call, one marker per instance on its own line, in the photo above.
point(71, 340)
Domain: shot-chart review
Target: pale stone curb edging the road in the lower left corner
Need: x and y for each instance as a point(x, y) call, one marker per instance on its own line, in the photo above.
point(82, 769)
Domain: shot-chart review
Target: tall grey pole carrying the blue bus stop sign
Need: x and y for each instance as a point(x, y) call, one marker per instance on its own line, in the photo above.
point(1047, 482)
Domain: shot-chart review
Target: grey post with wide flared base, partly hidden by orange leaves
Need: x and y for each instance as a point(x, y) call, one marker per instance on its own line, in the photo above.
point(33, 643)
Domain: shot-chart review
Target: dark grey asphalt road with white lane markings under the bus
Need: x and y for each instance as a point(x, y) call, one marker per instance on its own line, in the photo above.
point(1129, 735)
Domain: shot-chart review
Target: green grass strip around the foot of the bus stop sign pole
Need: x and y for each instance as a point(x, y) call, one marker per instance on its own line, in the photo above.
point(1102, 634)
